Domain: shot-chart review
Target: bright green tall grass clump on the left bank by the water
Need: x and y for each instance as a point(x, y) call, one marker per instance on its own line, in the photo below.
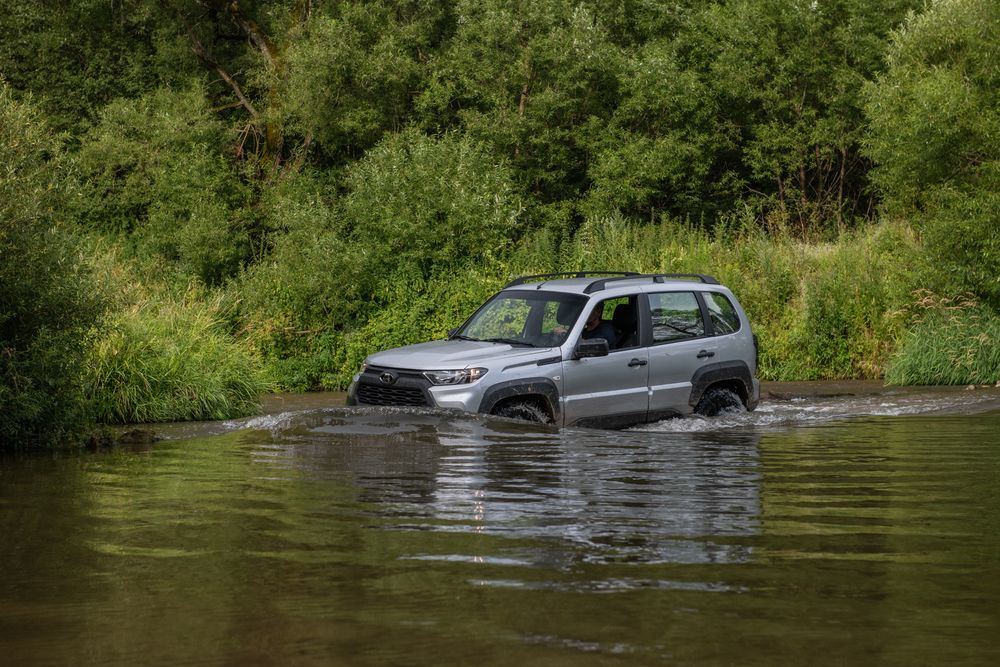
point(166, 351)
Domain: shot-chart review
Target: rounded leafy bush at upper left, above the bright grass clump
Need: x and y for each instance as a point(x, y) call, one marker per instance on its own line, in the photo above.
point(153, 173)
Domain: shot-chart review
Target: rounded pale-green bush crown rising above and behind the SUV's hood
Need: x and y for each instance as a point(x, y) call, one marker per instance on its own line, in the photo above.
point(423, 203)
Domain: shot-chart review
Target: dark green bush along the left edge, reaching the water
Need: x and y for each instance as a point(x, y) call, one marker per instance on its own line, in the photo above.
point(48, 301)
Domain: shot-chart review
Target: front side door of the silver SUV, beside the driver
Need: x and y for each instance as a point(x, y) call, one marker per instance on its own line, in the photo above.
point(611, 391)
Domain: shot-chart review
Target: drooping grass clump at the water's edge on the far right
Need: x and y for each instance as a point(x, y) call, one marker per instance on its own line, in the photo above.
point(954, 341)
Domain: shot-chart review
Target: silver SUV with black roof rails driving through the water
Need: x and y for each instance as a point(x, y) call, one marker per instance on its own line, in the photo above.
point(595, 349)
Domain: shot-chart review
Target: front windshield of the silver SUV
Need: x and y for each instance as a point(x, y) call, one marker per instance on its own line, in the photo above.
point(528, 318)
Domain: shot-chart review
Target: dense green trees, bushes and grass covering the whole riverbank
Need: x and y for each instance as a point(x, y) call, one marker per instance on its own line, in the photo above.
point(229, 199)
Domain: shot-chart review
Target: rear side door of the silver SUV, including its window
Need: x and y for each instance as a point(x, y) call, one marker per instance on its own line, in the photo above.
point(679, 347)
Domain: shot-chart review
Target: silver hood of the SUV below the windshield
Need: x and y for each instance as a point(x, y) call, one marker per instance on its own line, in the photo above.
point(453, 354)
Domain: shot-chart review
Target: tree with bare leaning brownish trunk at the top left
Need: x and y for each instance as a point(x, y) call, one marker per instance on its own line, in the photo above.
point(305, 78)
